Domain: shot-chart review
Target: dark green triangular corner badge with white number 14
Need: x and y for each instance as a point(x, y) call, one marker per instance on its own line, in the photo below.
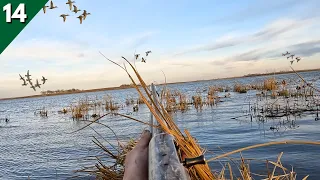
point(15, 16)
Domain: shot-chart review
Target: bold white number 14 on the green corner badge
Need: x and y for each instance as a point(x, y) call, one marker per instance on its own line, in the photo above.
point(19, 13)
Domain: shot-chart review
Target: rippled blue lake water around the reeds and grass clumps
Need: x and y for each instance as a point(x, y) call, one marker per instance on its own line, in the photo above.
point(43, 148)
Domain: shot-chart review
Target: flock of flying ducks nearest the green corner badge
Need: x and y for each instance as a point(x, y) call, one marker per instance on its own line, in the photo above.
point(72, 7)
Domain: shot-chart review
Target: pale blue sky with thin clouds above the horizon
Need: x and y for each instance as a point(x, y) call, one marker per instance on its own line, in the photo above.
point(189, 40)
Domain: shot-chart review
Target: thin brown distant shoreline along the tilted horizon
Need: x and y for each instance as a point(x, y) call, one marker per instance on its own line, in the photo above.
point(128, 87)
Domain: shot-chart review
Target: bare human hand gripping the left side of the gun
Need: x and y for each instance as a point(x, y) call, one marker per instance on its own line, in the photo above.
point(136, 162)
